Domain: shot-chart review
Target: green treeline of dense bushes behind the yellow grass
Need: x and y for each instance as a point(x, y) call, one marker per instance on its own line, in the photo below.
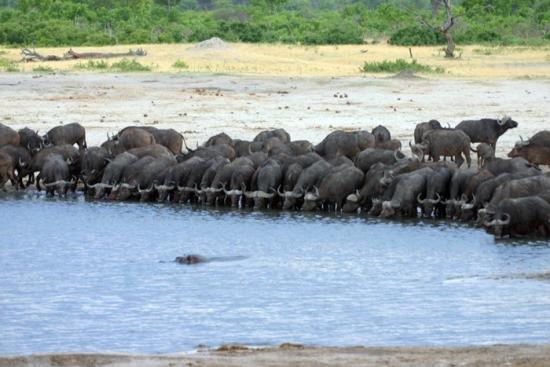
point(310, 22)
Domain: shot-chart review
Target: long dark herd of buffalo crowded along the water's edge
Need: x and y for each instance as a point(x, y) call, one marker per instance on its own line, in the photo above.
point(357, 171)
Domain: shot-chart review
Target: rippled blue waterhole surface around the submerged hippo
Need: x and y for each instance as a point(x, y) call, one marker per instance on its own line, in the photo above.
point(91, 276)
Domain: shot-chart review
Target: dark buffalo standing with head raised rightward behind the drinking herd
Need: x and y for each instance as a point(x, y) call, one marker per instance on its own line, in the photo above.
point(486, 130)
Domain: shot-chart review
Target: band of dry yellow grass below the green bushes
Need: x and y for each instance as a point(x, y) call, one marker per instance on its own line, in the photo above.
point(478, 62)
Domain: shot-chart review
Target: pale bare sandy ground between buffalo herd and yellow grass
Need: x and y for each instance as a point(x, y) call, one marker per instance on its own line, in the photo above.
point(309, 108)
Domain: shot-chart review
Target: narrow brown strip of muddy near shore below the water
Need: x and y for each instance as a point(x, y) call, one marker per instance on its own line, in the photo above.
point(294, 355)
